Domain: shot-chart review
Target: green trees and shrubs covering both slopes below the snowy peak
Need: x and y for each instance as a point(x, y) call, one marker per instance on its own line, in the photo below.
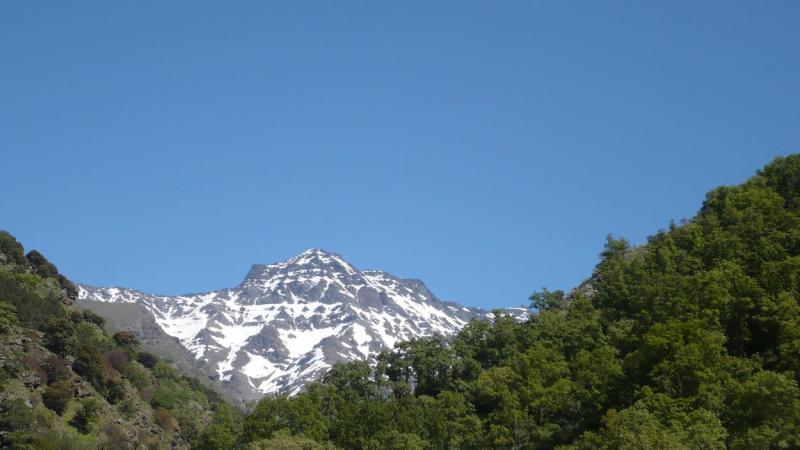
point(690, 341)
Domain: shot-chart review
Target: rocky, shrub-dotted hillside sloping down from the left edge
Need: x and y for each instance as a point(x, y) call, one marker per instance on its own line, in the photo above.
point(66, 384)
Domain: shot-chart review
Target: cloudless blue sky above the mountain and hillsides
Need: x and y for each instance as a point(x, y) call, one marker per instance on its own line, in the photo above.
point(484, 147)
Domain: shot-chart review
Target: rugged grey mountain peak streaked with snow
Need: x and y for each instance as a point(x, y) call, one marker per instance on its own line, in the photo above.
point(288, 322)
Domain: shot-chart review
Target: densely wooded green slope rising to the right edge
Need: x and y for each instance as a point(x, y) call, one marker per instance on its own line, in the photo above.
point(691, 341)
